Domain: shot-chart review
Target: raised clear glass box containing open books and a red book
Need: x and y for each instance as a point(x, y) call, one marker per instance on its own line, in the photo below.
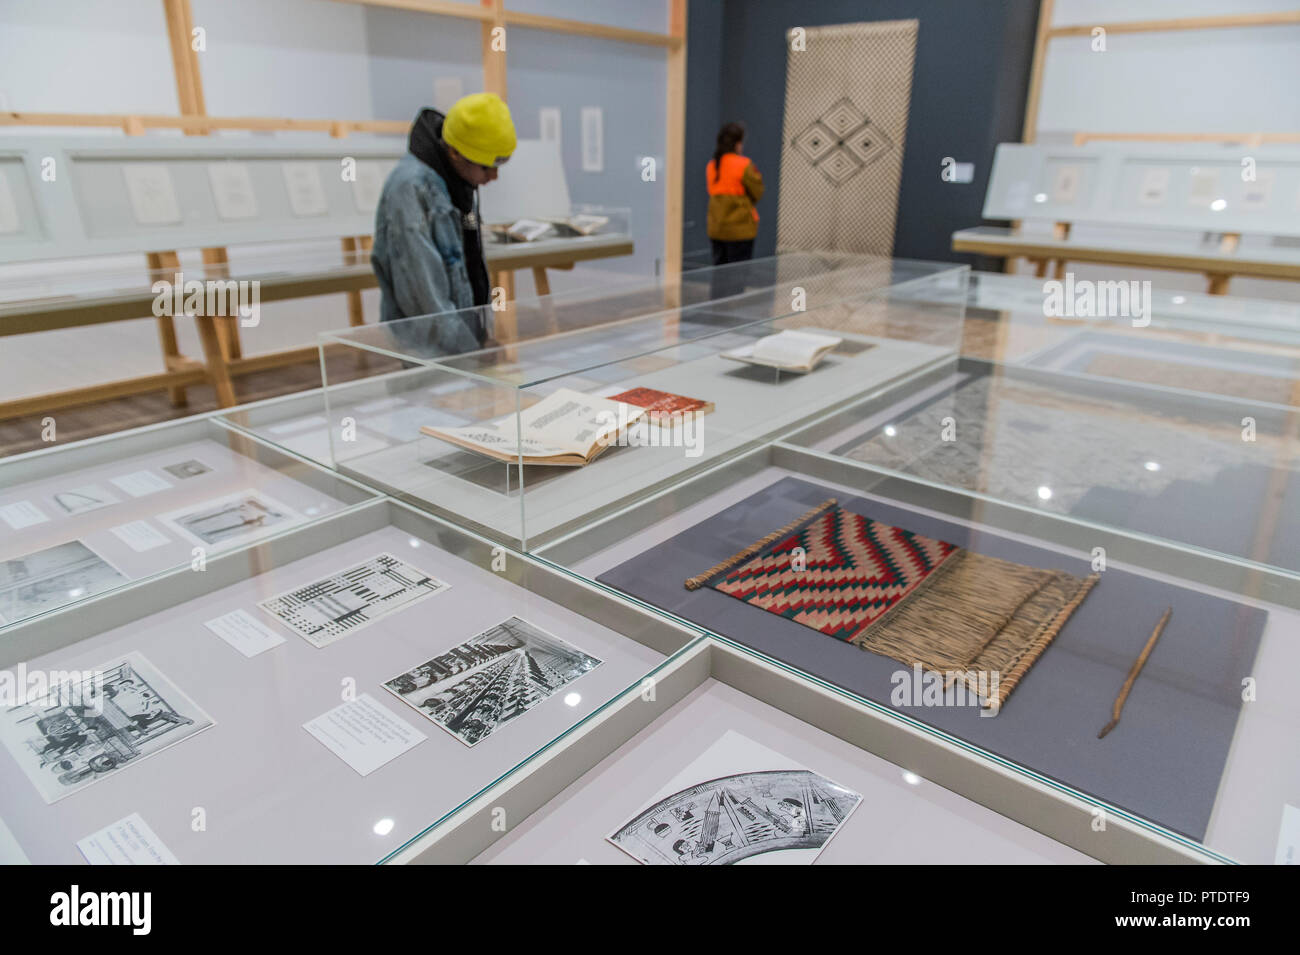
point(530, 441)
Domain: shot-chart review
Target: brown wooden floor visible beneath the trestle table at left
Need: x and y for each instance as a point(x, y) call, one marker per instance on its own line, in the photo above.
point(106, 418)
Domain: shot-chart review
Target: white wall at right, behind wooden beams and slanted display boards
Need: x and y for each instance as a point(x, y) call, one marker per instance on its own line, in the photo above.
point(1242, 80)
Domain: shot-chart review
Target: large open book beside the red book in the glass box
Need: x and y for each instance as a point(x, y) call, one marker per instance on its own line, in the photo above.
point(566, 429)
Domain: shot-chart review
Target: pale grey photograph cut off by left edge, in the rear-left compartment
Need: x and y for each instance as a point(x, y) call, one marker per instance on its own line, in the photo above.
point(53, 578)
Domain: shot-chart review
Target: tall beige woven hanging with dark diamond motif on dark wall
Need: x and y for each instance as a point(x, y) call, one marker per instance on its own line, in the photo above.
point(847, 97)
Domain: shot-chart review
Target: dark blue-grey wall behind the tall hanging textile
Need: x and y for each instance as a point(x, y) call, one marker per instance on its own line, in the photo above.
point(968, 95)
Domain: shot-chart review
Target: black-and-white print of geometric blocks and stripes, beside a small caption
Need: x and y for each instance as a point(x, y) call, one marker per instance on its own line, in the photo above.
point(336, 606)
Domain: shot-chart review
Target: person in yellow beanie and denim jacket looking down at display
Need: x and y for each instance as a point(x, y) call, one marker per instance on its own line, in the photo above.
point(428, 253)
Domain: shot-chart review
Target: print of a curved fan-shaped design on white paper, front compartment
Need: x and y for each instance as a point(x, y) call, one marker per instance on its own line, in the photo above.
point(739, 802)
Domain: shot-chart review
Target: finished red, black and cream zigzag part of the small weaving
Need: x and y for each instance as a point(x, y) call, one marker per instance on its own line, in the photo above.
point(856, 570)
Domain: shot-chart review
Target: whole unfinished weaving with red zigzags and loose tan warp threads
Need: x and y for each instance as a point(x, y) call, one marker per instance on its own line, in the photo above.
point(920, 601)
